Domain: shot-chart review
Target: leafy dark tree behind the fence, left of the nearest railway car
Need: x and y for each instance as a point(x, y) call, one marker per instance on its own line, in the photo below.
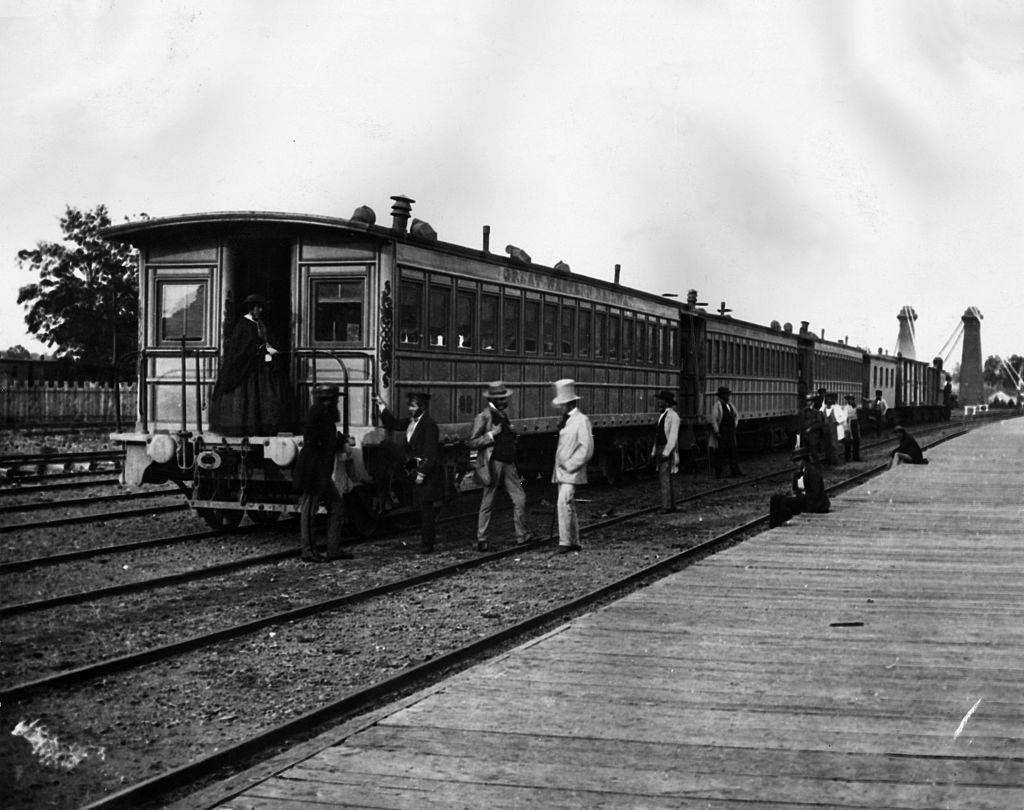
point(87, 301)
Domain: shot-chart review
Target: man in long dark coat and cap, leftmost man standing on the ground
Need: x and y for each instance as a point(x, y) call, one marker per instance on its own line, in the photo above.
point(314, 476)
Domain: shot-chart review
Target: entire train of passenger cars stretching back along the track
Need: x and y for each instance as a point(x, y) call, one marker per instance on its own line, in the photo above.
point(385, 311)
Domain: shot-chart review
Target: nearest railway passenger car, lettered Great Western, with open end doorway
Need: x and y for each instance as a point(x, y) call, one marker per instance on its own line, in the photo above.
point(377, 311)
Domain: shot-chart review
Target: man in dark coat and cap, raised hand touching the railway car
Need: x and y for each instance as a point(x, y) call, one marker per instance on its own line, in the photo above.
point(421, 445)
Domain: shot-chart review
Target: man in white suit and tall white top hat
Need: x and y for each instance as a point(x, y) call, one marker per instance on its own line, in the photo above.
point(576, 446)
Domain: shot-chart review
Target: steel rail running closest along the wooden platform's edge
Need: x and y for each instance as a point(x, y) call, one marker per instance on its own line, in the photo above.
point(360, 701)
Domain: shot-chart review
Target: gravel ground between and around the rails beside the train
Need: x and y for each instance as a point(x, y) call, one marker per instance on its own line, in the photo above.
point(131, 727)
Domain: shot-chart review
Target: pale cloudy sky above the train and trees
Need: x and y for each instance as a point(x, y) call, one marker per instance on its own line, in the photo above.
point(829, 162)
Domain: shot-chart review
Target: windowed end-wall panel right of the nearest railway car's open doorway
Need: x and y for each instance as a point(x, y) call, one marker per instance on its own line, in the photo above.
point(335, 336)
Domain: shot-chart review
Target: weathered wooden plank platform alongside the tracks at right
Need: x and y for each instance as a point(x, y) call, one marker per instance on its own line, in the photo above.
point(872, 658)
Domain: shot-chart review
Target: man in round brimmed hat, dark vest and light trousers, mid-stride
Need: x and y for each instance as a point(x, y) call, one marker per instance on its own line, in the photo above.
point(494, 440)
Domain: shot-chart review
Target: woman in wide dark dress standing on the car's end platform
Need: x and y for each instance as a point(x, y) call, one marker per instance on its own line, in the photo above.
point(250, 398)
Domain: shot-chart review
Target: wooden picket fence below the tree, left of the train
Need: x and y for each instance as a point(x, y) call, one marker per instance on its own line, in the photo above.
point(25, 405)
